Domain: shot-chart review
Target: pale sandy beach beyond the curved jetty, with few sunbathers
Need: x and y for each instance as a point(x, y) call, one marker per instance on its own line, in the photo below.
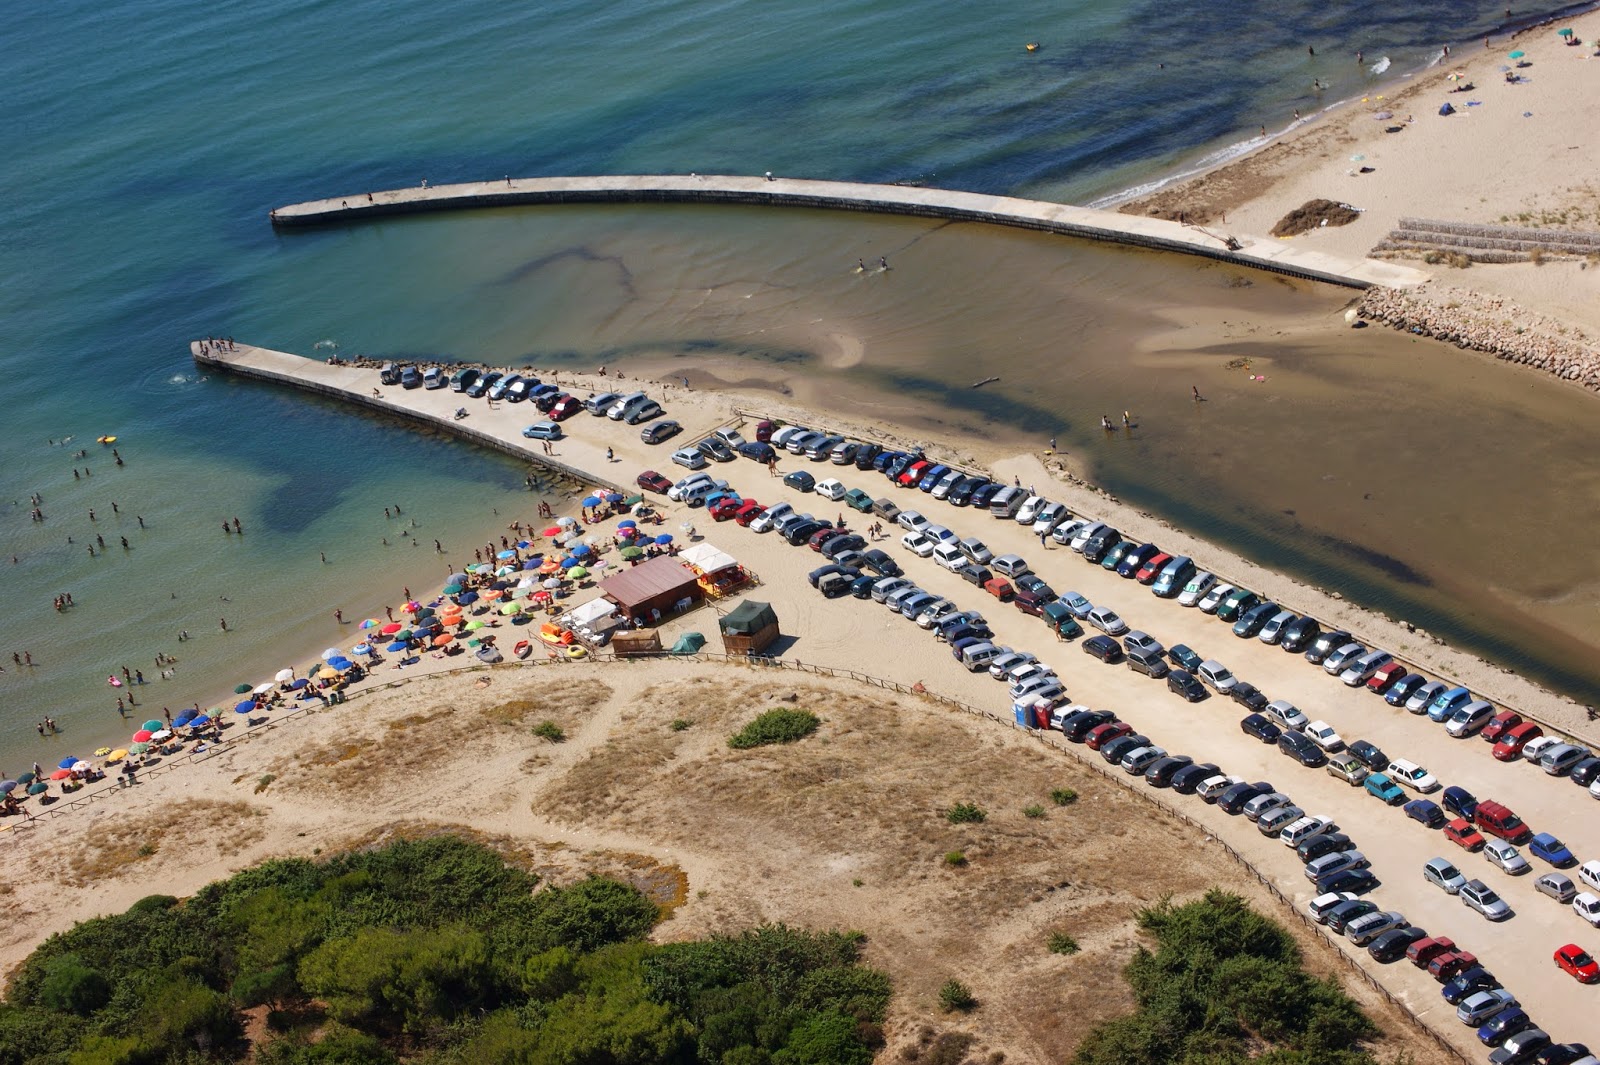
point(1511, 154)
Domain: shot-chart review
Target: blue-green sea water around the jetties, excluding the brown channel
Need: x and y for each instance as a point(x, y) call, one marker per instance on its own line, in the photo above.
point(146, 145)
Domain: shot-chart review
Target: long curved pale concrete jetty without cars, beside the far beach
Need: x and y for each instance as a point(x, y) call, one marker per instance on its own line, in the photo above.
point(1263, 253)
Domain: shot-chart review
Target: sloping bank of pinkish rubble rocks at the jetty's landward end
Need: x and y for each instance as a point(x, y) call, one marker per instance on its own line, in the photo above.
point(1489, 324)
